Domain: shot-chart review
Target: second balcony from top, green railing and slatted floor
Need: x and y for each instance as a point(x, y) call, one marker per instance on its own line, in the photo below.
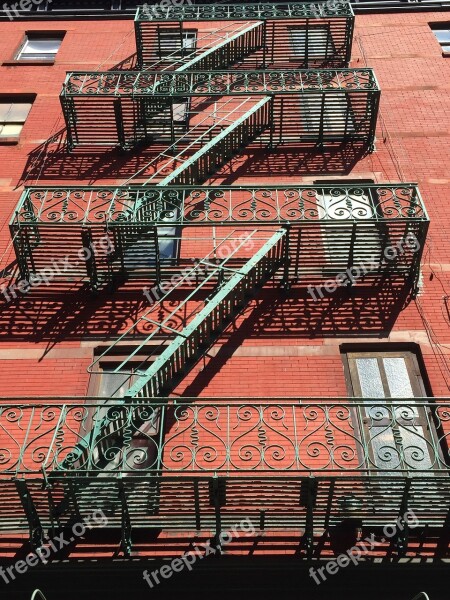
point(335, 105)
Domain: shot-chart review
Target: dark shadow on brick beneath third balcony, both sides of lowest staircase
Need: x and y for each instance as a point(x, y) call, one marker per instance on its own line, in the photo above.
point(69, 311)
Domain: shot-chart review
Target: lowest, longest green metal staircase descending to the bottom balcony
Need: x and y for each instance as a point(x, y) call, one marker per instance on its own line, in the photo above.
point(112, 428)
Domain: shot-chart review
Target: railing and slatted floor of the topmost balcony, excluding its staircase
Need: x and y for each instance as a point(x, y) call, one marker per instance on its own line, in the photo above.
point(324, 38)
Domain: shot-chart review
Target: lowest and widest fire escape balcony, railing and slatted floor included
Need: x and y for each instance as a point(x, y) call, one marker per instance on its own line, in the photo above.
point(295, 464)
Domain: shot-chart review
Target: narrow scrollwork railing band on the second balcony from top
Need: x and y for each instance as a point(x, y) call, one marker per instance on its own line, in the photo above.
point(221, 83)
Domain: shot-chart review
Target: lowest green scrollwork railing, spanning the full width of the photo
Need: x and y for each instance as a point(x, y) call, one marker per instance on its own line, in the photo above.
point(298, 437)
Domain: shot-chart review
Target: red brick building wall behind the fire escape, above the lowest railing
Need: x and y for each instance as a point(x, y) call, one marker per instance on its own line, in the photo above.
point(284, 345)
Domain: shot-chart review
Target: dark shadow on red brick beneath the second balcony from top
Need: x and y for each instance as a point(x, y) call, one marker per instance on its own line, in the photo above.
point(52, 161)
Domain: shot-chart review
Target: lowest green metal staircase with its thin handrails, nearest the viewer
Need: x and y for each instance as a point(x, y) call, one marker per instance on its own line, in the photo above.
point(233, 287)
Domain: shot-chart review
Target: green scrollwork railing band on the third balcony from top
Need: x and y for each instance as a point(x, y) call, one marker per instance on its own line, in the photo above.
point(190, 205)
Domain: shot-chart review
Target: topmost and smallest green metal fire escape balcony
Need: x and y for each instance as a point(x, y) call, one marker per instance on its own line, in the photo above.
point(318, 34)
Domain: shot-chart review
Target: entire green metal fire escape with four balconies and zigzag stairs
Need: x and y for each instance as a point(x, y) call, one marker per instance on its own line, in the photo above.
point(273, 75)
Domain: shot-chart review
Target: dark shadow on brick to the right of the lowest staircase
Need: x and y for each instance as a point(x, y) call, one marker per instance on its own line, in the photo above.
point(368, 310)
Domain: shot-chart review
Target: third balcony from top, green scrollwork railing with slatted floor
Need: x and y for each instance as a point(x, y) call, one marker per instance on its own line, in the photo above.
point(333, 227)
